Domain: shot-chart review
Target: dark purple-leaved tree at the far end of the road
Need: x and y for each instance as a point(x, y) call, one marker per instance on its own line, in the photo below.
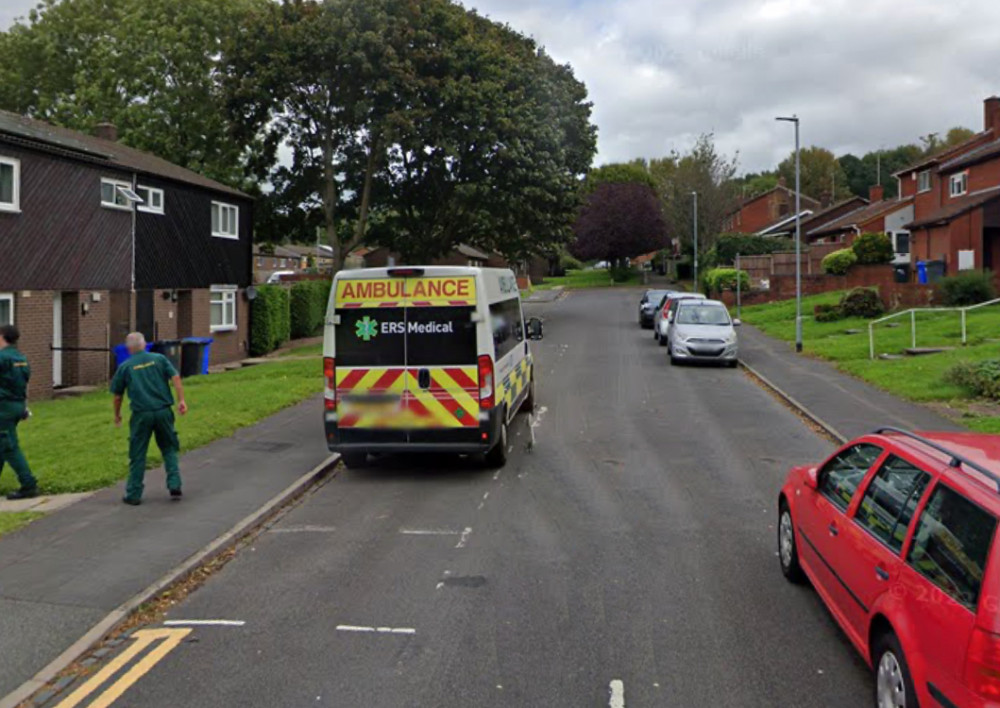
point(619, 221)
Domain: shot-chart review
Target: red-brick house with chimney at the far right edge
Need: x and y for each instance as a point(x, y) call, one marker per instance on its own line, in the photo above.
point(956, 197)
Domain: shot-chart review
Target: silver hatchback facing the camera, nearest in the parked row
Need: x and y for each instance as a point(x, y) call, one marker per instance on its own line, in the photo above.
point(703, 331)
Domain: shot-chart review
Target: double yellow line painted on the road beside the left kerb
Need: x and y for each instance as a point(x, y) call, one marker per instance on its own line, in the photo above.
point(165, 641)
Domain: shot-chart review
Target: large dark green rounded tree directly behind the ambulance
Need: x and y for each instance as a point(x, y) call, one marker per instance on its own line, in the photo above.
point(415, 125)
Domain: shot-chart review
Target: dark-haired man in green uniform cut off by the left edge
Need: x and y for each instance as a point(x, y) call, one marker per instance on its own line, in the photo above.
point(14, 375)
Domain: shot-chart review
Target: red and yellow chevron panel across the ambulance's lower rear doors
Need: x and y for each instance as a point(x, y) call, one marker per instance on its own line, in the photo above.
point(451, 401)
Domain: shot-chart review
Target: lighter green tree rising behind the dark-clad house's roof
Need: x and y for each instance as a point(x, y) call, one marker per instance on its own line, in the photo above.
point(151, 68)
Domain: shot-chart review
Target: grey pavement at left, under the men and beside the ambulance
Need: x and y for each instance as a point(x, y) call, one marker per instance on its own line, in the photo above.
point(62, 574)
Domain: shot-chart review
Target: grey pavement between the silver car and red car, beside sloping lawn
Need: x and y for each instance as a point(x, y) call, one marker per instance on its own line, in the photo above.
point(848, 405)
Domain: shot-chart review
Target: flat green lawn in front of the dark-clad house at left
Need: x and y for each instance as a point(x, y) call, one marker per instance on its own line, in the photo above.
point(72, 445)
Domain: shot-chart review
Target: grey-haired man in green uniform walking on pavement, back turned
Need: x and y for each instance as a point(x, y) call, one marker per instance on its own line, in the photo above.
point(147, 378)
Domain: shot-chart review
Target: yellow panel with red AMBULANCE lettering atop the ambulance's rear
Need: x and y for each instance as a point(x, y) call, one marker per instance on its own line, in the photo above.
point(406, 292)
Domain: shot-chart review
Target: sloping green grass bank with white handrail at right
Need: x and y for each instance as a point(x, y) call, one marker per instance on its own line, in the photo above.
point(920, 378)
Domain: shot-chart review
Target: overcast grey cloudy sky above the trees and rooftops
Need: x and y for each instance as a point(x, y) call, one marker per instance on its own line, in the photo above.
point(861, 74)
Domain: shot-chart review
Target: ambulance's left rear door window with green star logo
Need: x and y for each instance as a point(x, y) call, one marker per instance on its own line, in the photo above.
point(371, 337)
